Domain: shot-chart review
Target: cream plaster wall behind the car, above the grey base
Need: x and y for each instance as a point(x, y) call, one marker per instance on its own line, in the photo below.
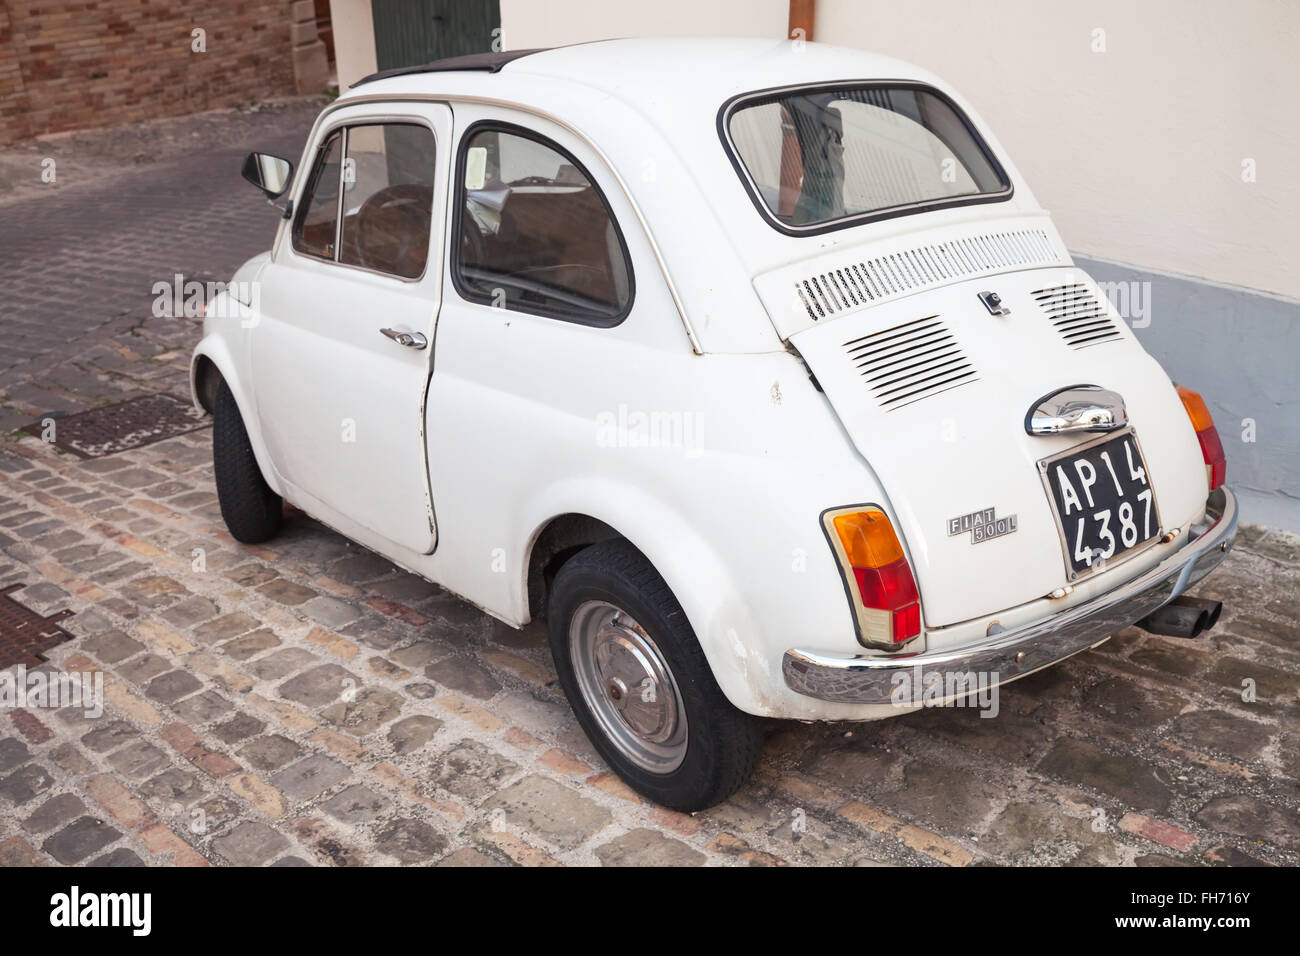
point(1137, 150)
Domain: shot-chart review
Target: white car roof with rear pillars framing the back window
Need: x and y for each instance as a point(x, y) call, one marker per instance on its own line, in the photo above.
point(651, 109)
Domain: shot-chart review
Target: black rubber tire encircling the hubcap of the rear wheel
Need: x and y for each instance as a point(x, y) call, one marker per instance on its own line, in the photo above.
point(722, 743)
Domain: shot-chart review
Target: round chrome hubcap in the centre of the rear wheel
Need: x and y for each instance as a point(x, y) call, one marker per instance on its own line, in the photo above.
point(629, 687)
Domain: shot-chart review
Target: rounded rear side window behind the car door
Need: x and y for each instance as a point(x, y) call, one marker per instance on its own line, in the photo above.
point(536, 233)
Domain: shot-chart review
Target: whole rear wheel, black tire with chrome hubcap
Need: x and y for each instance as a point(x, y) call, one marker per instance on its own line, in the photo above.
point(640, 685)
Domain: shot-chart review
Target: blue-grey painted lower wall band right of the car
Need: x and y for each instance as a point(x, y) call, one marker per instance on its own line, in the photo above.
point(1241, 351)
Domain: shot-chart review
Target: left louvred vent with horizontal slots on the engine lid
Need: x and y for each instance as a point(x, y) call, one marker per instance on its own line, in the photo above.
point(911, 362)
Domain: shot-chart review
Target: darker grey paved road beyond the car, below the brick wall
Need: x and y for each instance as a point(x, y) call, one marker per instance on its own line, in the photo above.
point(129, 207)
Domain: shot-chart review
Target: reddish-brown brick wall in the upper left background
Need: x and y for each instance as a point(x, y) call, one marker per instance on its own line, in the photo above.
point(68, 66)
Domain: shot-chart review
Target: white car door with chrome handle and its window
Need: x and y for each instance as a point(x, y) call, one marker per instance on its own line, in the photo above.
point(343, 356)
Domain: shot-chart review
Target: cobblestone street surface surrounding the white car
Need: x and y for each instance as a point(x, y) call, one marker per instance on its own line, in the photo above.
point(226, 739)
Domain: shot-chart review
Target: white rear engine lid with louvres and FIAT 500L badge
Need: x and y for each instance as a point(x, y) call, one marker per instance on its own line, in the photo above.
point(934, 390)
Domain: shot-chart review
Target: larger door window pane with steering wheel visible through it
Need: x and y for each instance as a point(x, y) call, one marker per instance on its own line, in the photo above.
point(388, 198)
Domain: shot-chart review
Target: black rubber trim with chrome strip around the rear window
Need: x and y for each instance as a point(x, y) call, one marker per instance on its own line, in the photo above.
point(777, 94)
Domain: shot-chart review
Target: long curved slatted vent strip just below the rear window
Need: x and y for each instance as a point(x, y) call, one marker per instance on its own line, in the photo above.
point(922, 267)
